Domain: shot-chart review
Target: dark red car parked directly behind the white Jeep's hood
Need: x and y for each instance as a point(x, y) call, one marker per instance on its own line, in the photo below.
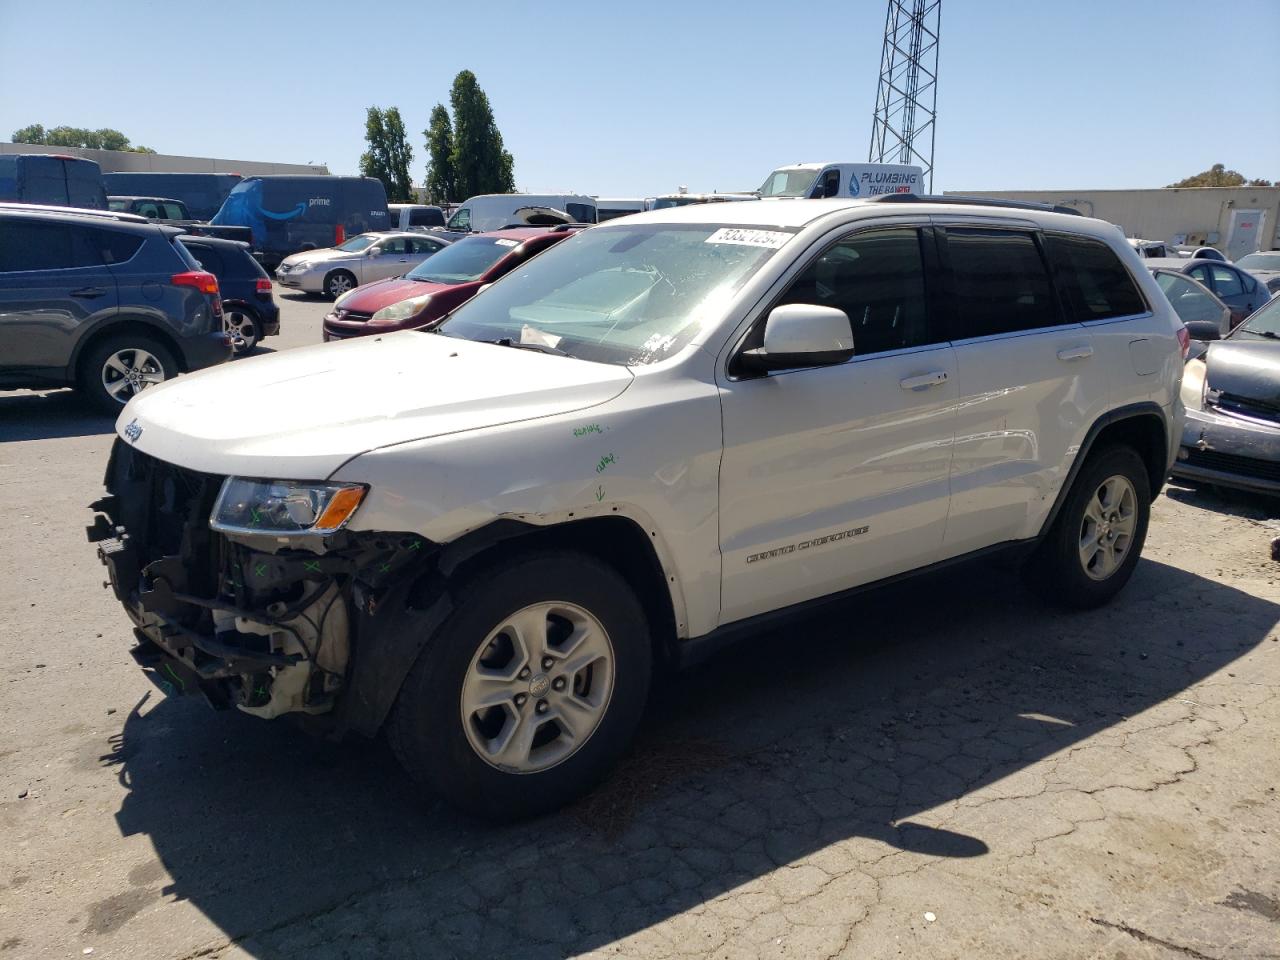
point(438, 285)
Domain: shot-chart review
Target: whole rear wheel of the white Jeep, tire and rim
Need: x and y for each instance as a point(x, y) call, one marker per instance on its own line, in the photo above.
point(1094, 546)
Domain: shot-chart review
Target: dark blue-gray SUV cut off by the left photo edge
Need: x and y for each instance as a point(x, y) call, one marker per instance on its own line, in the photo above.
point(107, 303)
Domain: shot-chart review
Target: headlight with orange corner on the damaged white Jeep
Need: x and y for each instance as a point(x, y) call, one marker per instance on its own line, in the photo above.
point(280, 508)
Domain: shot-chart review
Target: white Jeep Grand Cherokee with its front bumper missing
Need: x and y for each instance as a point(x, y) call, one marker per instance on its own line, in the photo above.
point(659, 435)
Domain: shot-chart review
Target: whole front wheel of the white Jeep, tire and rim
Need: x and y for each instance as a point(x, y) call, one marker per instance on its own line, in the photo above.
point(531, 692)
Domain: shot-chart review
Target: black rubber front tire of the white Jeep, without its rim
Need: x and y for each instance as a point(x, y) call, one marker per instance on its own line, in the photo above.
point(427, 726)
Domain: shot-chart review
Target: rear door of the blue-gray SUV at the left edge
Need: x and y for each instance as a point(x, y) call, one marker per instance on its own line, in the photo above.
point(53, 286)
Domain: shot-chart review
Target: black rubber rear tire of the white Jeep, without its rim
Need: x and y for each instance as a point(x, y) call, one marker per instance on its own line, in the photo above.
point(1057, 570)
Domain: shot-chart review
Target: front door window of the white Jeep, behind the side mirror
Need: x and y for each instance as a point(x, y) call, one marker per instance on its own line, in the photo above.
point(877, 278)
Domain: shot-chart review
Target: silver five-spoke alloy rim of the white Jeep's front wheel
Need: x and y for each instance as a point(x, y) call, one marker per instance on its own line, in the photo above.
point(538, 688)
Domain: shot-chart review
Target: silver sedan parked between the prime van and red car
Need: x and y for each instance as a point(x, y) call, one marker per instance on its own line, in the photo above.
point(363, 259)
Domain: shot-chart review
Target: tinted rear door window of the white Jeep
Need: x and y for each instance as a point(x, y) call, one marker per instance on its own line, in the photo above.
point(1002, 285)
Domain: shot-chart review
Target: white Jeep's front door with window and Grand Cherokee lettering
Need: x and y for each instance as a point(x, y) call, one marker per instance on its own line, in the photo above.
point(838, 477)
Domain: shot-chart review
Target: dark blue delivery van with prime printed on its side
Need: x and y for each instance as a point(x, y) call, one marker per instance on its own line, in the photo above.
point(290, 214)
